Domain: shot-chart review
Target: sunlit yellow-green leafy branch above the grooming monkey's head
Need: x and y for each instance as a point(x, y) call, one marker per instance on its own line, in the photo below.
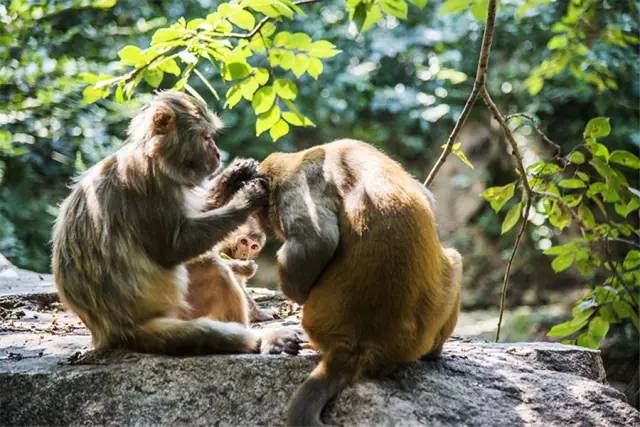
point(242, 41)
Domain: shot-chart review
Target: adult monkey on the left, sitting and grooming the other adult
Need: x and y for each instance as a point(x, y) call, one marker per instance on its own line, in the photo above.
point(131, 222)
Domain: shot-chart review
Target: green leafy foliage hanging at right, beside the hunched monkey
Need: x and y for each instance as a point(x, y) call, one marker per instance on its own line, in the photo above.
point(588, 189)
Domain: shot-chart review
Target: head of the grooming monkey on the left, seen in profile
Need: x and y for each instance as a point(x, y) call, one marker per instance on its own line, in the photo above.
point(177, 132)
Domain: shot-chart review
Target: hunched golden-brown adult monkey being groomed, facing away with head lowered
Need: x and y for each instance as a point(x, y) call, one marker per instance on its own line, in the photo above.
point(361, 252)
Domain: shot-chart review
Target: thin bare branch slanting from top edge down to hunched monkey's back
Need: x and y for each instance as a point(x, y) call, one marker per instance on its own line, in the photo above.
point(478, 85)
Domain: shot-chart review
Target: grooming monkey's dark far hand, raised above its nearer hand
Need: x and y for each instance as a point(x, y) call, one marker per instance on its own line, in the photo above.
point(225, 185)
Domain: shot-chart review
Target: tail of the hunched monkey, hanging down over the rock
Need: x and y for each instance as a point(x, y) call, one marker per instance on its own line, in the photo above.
point(312, 396)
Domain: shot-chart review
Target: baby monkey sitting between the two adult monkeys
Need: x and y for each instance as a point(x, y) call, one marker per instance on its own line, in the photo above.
point(218, 279)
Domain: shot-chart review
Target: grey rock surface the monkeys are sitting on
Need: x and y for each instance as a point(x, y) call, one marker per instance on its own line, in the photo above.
point(474, 383)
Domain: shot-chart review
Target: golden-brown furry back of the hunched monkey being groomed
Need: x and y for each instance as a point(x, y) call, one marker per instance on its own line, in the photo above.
point(379, 299)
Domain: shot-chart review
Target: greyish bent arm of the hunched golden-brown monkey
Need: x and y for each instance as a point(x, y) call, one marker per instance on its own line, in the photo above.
point(312, 235)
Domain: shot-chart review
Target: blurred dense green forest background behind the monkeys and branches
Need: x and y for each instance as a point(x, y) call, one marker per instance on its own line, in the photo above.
point(399, 86)
